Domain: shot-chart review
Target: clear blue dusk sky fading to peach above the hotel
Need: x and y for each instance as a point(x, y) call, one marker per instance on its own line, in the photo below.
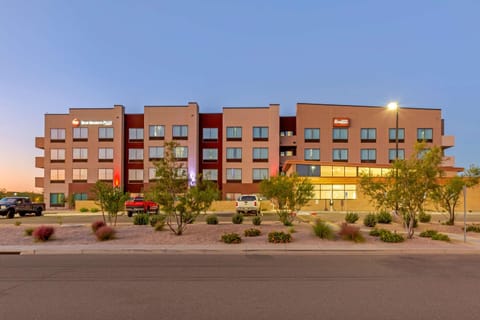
point(60, 54)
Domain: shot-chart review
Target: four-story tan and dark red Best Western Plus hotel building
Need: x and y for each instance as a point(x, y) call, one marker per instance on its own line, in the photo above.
point(331, 144)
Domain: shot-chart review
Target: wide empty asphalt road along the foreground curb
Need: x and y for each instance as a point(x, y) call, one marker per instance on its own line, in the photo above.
point(251, 286)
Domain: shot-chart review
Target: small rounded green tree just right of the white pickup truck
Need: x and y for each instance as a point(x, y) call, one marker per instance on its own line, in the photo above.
point(288, 193)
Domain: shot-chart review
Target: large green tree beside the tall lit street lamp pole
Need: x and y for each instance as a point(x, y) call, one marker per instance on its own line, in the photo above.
point(408, 185)
